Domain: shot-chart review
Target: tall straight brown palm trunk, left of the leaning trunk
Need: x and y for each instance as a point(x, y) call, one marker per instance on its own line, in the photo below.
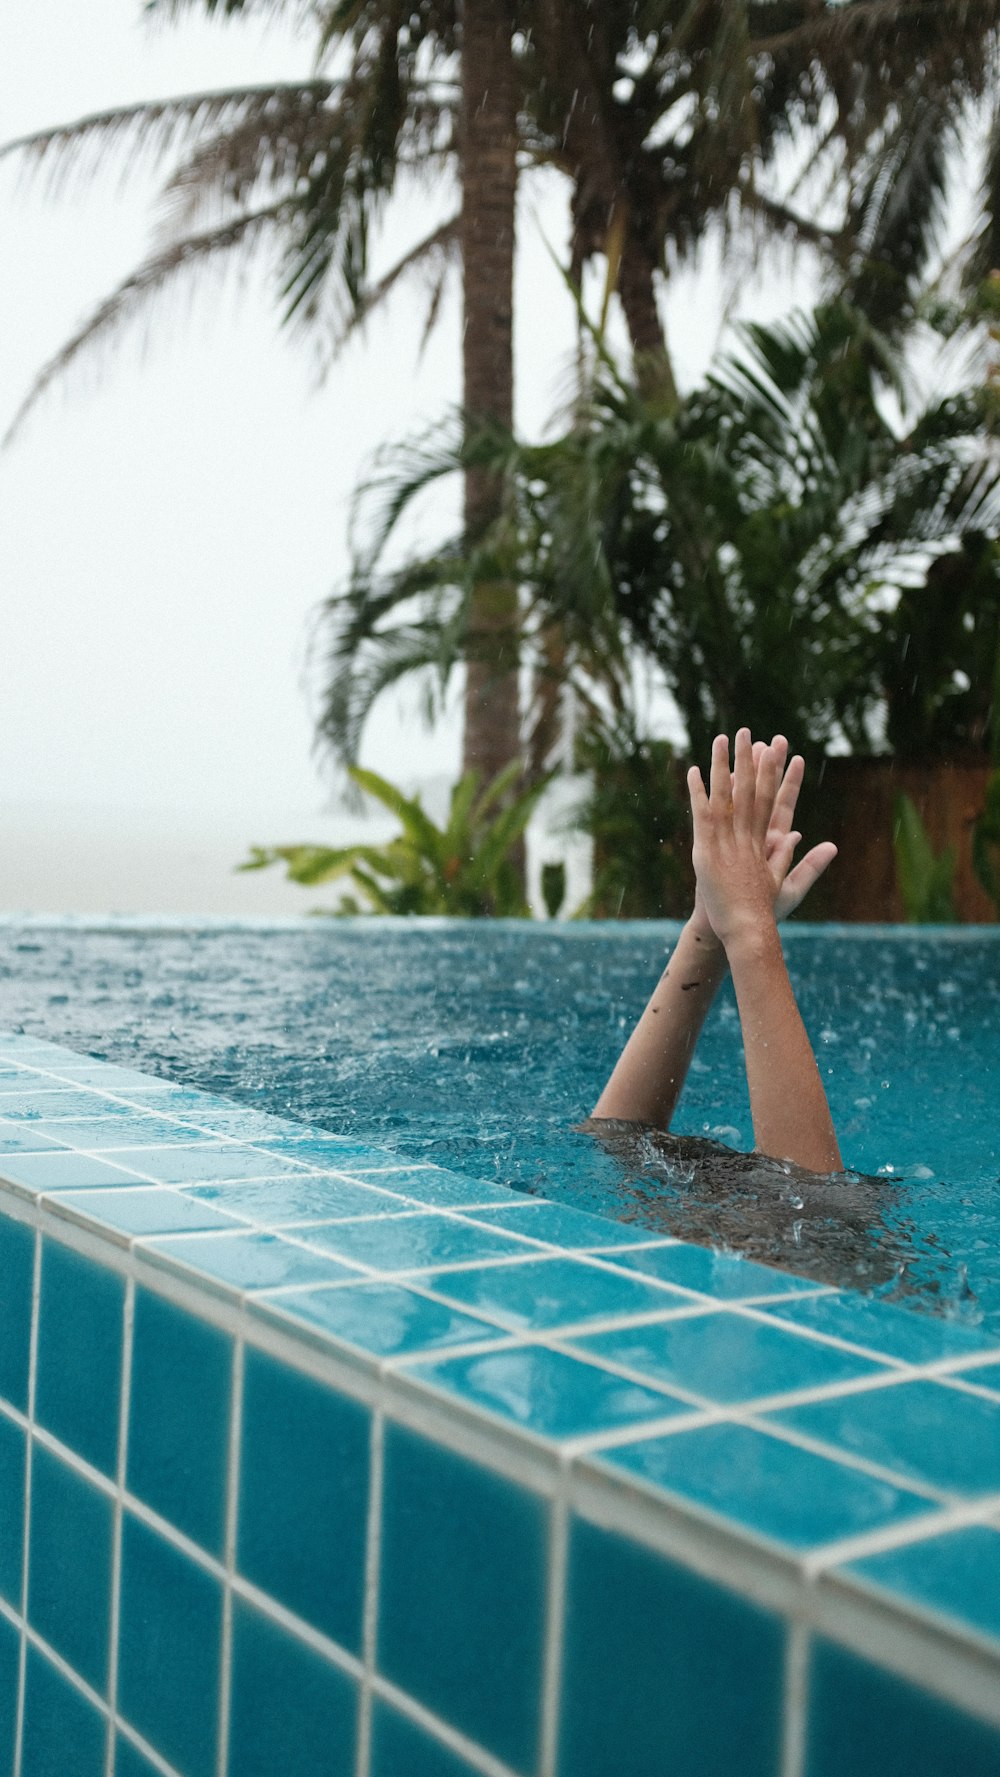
point(489, 182)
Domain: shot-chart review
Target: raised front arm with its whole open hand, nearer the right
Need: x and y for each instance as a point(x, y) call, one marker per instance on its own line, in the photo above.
point(788, 1103)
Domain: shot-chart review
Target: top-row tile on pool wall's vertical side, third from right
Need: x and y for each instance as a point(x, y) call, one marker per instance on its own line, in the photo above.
point(463, 1593)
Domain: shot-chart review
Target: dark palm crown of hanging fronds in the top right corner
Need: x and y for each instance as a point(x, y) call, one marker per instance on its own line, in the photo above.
point(685, 116)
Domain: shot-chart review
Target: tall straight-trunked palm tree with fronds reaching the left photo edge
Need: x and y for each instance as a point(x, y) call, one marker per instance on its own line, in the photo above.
point(312, 166)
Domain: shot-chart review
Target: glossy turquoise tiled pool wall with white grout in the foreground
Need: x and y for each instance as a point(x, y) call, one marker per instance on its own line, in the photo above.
point(324, 1465)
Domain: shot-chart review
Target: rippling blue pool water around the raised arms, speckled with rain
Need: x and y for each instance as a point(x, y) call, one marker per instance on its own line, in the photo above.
point(484, 1046)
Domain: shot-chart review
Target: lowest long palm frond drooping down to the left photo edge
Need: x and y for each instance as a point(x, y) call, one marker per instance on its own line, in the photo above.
point(147, 285)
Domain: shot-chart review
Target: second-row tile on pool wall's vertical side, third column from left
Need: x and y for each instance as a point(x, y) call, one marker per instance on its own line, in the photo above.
point(170, 1650)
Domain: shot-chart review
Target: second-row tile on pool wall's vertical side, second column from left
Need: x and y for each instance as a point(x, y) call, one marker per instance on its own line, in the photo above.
point(70, 1570)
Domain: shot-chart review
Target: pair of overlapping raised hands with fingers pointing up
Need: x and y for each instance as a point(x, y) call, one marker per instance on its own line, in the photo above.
point(745, 841)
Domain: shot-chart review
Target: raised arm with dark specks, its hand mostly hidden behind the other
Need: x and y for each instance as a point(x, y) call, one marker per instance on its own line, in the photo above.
point(651, 1072)
